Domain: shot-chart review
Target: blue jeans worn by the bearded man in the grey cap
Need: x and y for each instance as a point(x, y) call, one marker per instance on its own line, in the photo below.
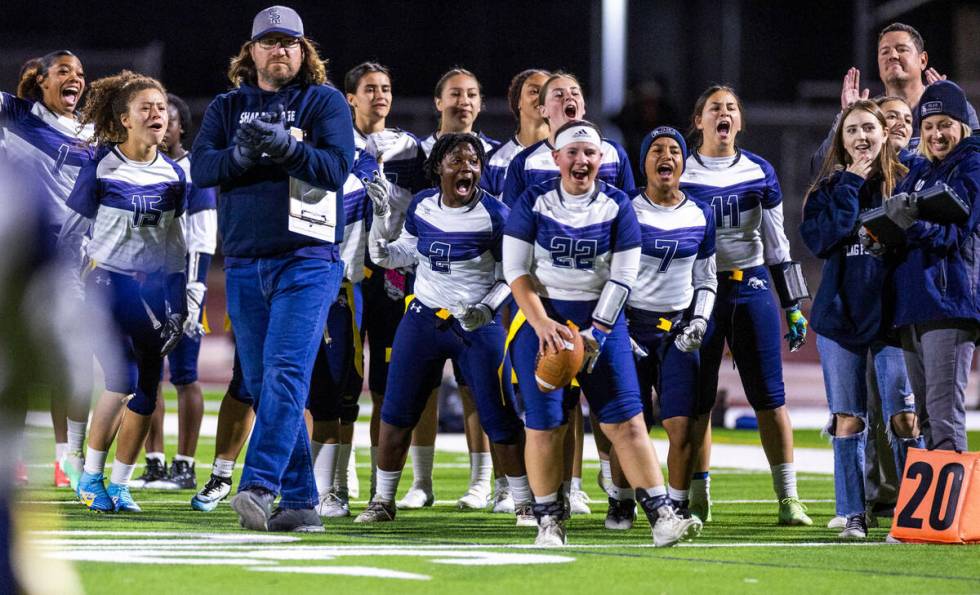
point(278, 308)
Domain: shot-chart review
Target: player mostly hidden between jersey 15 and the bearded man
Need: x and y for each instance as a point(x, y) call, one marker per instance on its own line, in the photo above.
point(200, 225)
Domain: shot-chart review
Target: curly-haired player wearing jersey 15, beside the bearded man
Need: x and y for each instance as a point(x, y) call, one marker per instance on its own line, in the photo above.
point(129, 199)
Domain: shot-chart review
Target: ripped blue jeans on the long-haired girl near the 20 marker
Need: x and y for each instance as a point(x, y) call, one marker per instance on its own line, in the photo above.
point(844, 373)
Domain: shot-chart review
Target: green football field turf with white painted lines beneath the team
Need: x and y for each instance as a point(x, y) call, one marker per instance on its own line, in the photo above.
point(170, 548)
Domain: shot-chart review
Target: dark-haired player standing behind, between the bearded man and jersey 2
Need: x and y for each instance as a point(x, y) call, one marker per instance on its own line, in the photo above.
point(400, 157)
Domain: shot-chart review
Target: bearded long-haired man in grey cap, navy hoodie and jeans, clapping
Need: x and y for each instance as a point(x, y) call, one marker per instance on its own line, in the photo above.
point(280, 283)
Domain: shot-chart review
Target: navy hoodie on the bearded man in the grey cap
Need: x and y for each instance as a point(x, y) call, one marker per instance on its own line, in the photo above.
point(253, 206)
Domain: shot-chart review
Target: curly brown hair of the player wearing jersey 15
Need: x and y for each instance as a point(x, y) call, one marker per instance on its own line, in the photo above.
point(109, 98)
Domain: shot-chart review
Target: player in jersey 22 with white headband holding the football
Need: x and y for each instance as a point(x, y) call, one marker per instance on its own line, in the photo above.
point(571, 254)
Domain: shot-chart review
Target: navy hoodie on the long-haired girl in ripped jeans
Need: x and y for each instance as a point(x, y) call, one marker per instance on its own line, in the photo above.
point(851, 305)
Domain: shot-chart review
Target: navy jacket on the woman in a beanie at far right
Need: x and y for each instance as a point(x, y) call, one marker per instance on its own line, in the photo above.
point(939, 276)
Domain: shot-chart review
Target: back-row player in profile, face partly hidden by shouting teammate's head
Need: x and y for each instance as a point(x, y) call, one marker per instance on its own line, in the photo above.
point(522, 98)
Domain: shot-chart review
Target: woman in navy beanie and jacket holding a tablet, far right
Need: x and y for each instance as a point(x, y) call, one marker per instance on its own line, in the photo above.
point(936, 304)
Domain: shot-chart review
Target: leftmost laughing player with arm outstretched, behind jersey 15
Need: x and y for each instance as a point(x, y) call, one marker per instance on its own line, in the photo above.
point(41, 134)
